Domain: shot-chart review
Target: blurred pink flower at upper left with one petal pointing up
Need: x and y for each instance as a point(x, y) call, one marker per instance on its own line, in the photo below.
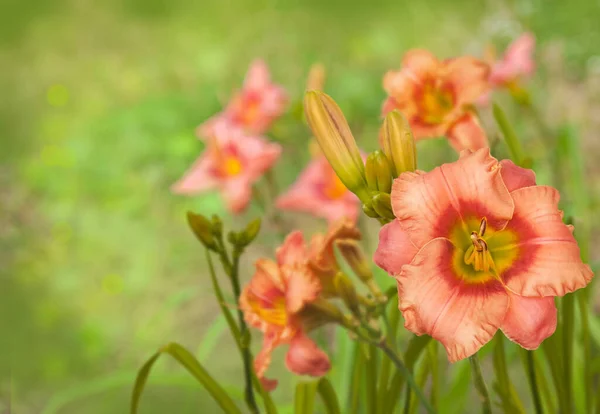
point(253, 108)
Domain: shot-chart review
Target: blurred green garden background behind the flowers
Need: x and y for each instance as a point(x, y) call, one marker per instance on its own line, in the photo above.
point(98, 110)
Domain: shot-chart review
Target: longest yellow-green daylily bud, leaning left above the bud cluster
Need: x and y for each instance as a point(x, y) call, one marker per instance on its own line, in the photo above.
point(331, 129)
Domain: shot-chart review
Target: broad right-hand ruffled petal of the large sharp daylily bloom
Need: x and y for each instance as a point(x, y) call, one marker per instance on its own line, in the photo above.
point(548, 259)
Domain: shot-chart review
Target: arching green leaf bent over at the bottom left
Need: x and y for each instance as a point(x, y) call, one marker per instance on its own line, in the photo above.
point(187, 360)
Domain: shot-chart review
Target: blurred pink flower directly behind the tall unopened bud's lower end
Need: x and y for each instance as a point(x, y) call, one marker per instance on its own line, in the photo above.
point(319, 191)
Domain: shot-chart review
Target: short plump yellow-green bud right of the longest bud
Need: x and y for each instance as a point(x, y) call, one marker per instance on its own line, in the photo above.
point(397, 141)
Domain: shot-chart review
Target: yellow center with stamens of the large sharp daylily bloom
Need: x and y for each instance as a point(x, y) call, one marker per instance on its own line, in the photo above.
point(481, 253)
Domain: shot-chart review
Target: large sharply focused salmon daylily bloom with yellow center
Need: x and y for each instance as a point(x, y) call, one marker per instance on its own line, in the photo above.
point(477, 246)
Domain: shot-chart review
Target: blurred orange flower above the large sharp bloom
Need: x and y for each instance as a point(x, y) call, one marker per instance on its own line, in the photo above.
point(435, 95)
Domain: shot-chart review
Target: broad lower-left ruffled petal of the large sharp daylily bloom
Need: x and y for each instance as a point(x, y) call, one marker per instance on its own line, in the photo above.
point(435, 301)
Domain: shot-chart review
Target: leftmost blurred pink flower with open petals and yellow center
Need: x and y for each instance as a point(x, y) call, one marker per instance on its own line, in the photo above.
point(232, 162)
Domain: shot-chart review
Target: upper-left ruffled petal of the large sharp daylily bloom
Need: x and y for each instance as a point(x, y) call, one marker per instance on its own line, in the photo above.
point(429, 205)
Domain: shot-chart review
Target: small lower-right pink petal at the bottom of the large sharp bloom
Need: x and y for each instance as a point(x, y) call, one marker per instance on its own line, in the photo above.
point(529, 320)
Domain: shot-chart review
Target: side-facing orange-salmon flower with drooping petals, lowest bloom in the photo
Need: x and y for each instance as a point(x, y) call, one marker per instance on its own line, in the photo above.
point(274, 302)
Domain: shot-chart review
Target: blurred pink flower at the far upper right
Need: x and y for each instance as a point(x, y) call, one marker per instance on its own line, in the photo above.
point(516, 65)
